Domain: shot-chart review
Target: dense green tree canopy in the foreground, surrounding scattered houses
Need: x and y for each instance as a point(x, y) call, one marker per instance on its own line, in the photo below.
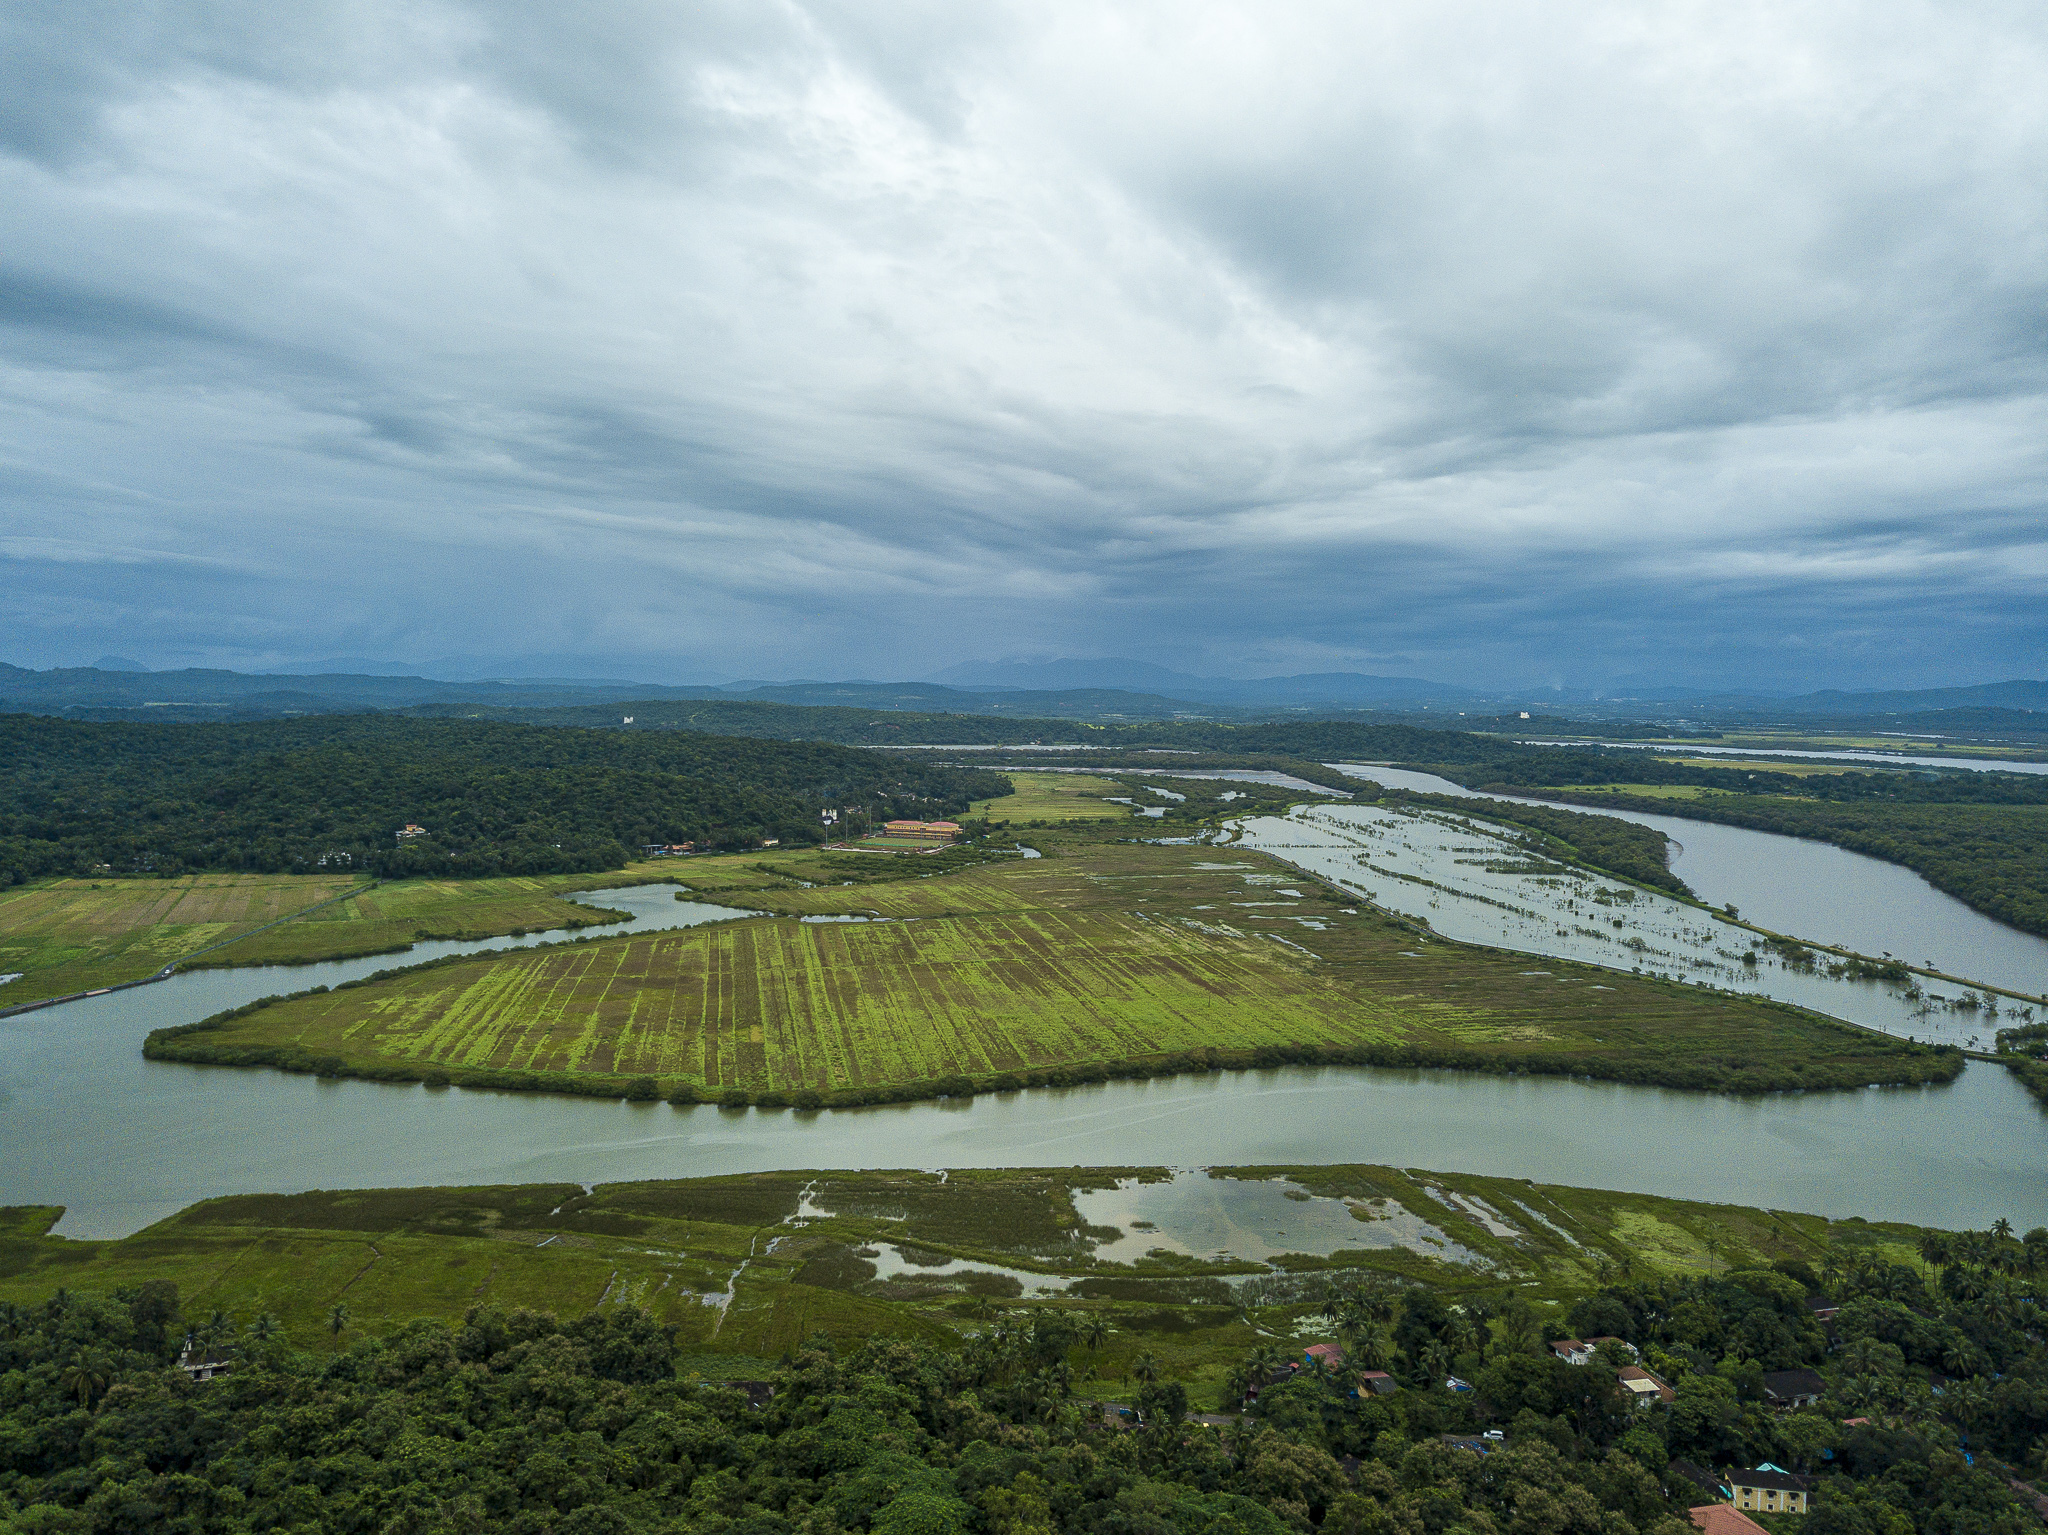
point(589, 1428)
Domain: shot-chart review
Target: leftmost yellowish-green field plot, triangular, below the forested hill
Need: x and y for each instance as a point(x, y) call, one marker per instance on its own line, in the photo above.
point(69, 936)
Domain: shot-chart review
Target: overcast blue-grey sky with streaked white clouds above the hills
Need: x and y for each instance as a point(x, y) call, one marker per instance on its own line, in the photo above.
point(1492, 343)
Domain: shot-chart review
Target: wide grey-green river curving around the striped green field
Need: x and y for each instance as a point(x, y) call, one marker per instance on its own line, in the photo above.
point(122, 1143)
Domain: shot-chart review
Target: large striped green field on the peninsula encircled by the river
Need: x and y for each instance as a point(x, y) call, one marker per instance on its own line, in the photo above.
point(1103, 959)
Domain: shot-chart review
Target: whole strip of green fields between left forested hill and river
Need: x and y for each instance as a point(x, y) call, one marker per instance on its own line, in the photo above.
point(77, 934)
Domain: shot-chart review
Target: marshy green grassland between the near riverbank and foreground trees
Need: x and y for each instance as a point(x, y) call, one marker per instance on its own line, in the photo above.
point(402, 1254)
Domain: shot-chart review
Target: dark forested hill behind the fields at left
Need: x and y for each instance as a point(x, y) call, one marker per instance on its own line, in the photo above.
point(495, 799)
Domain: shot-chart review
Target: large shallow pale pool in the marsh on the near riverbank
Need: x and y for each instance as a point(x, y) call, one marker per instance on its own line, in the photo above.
point(1218, 1217)
